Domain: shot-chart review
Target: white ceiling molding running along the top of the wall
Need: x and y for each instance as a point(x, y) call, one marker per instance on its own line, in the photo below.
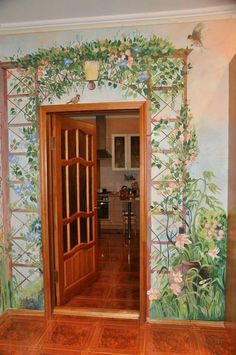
point(162, 17)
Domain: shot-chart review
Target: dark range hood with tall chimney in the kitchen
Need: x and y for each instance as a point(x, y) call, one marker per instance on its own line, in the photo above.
point(102, 152)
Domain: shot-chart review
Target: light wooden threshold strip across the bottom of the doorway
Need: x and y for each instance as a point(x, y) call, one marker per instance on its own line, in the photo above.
point(98, 313)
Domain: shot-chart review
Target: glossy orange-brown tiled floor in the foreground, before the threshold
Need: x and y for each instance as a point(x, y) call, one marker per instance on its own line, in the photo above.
point(83, 336)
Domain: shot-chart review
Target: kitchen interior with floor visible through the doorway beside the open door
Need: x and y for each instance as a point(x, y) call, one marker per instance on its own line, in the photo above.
point(117, 284)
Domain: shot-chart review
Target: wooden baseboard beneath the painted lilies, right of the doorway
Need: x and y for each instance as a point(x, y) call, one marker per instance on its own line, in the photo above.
point(200, 323)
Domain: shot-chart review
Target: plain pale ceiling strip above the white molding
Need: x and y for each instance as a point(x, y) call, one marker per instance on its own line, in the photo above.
point(17, 11)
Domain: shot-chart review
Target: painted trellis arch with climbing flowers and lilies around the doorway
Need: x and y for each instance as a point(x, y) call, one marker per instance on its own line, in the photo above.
point(188, 225)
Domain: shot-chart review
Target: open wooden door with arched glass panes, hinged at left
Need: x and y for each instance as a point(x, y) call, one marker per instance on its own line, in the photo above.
point(75, 212)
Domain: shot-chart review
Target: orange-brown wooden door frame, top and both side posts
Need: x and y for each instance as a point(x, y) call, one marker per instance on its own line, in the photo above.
point(46, 191)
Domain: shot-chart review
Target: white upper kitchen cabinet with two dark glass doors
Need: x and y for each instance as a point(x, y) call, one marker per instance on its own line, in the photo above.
point(125, 152)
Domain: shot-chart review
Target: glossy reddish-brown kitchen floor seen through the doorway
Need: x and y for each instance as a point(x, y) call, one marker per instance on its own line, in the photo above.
point(117, 285)
